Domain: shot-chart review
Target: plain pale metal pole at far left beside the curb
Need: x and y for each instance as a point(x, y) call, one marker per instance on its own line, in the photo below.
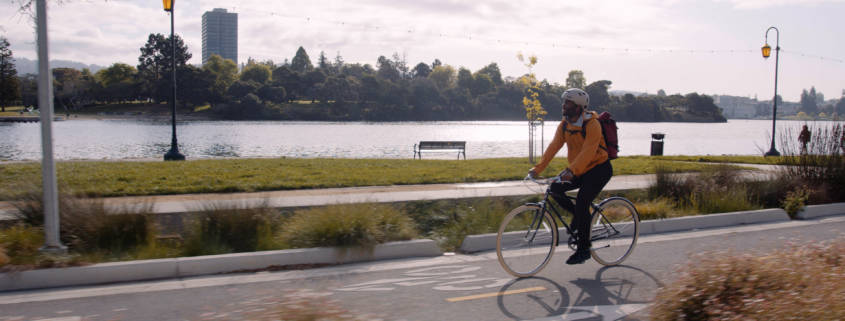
point(52, 244)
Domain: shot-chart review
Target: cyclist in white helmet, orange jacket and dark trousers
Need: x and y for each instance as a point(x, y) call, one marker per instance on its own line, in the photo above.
point(589, 167)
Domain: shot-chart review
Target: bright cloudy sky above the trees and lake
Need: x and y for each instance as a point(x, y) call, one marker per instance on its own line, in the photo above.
point(705, 46)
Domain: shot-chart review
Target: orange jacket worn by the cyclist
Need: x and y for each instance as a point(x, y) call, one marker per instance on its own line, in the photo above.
point(583, 153)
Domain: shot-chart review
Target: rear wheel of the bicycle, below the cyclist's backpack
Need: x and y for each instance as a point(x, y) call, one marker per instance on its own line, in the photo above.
point(614, 232)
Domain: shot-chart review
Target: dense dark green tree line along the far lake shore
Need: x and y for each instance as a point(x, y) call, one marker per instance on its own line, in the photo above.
point(390, 90)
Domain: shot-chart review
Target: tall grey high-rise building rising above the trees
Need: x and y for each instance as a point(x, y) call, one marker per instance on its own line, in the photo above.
point(220, 34)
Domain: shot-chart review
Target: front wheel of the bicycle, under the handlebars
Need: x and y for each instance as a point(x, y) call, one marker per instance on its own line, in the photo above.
point(526, 240)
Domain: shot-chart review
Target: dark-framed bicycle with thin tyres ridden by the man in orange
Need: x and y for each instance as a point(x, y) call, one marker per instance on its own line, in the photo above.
point(530, 229)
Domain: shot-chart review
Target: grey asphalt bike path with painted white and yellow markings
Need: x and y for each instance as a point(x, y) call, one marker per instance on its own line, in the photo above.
point(450, 287)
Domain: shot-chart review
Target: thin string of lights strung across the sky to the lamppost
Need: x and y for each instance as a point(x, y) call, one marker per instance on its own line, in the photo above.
point(554, 45)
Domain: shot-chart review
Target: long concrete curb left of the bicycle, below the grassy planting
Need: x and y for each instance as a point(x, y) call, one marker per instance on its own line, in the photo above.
point(210, 264)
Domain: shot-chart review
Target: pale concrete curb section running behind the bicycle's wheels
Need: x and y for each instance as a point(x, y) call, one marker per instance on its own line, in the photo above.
point(485, 242)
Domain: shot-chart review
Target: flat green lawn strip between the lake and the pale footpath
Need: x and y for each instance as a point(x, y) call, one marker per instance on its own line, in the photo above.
point(111, 178)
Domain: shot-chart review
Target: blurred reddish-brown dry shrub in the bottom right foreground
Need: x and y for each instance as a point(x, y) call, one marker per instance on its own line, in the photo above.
point(799, 283)
